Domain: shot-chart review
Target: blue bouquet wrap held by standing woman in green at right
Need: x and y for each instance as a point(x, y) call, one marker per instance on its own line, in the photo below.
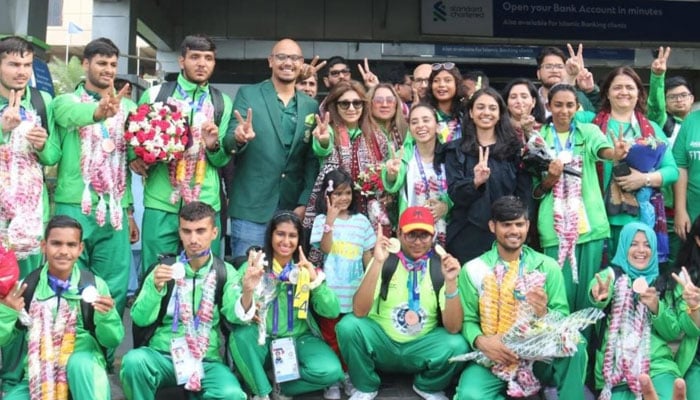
point(645, 156)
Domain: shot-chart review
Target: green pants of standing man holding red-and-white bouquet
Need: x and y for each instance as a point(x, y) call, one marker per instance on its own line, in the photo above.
point(159, 235)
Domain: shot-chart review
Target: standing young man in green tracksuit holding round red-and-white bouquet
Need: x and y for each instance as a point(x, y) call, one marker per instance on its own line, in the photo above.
point(209, 113)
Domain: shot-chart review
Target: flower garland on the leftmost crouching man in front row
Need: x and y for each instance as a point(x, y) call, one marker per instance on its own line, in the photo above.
point(50, 346)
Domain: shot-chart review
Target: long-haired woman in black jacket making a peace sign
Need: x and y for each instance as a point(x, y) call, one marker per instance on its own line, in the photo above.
point(481, 167)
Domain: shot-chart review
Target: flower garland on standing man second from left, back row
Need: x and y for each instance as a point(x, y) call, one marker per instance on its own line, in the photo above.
point(103, 168)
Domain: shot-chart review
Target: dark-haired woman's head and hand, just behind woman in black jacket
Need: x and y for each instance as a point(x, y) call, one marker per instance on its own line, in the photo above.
point(526, 112)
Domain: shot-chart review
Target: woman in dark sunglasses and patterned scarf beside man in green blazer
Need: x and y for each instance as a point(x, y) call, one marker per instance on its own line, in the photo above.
point(346, 137)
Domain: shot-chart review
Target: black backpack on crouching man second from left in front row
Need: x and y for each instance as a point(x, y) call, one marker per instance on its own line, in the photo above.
point(143, 334)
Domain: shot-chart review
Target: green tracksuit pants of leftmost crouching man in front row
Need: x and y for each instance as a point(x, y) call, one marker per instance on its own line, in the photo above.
point(87, 379)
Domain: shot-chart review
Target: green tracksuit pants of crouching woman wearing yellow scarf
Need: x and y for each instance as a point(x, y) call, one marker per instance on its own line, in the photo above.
point(319, 367)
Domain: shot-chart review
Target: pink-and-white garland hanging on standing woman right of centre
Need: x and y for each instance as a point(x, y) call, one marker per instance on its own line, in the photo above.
point(567, 205)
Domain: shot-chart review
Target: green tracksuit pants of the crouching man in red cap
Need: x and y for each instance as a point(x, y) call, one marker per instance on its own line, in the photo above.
point(366, 348)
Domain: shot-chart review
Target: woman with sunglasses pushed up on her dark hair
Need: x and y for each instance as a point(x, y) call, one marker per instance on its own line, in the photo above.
point(445, 95)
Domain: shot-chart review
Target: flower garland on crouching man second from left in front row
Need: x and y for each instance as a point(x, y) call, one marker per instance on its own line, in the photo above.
point(198, 329)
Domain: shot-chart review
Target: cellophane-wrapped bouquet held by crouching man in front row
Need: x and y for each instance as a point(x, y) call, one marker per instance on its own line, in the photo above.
point(536, 339)
